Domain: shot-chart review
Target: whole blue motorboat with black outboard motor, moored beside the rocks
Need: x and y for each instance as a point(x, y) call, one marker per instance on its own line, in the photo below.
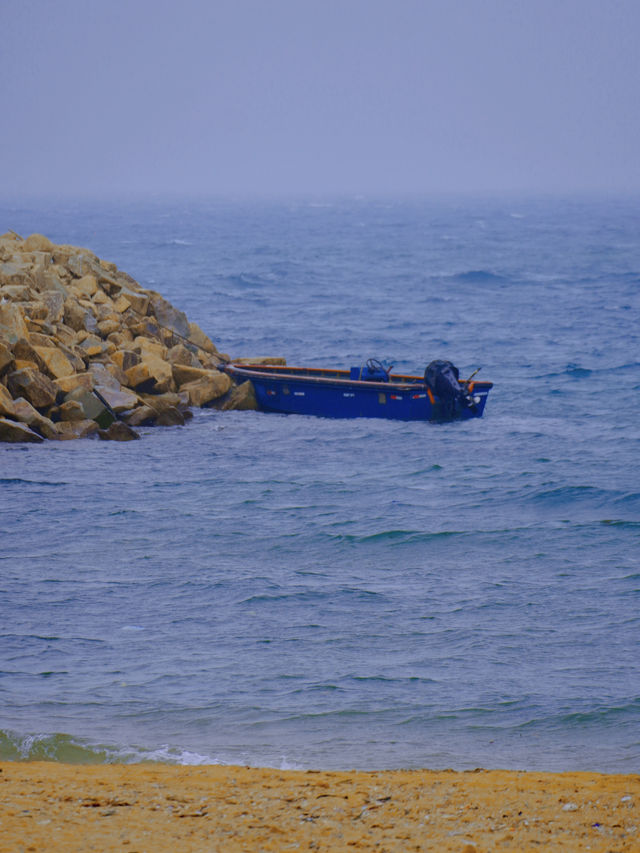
point(368, 391)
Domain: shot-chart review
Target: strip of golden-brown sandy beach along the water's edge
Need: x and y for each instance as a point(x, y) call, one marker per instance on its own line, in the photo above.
point(151, 808)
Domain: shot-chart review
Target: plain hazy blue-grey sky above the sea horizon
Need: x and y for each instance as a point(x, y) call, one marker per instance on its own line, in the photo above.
point(319, 96)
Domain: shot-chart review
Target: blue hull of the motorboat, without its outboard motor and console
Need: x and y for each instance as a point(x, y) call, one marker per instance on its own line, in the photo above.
point(333, 394)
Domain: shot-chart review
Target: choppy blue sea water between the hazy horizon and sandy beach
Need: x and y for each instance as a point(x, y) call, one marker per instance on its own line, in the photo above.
point(301, 592)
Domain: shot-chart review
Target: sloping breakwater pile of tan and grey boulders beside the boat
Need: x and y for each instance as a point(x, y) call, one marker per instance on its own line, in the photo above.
point(86, 351)
